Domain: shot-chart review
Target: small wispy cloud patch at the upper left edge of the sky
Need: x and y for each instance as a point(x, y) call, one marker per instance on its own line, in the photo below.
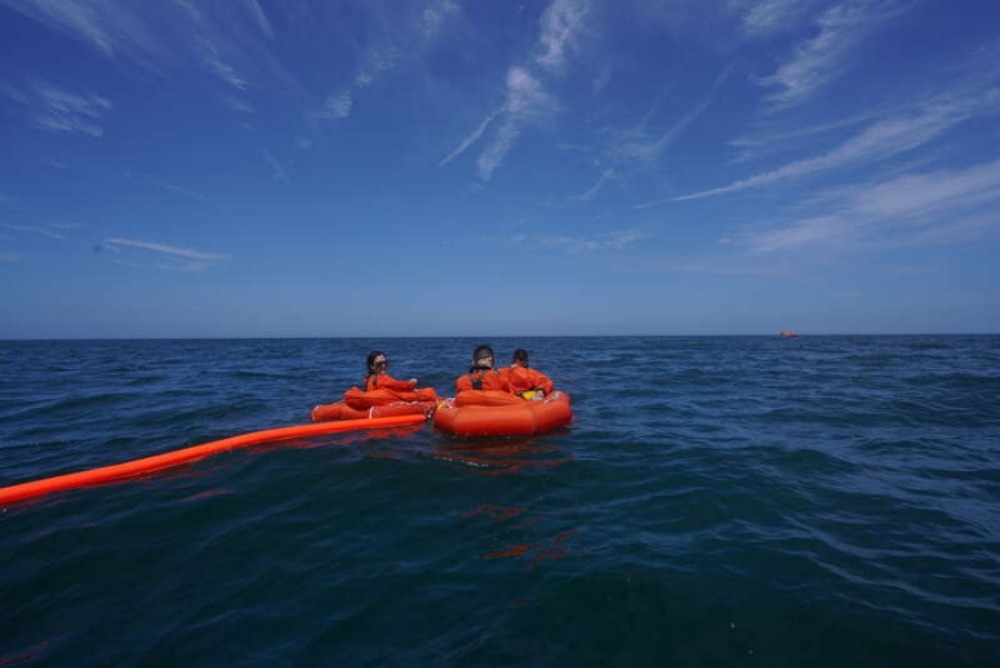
point(57, 110)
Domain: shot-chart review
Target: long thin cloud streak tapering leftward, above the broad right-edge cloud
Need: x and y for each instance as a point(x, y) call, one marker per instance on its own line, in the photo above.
point(929, 120)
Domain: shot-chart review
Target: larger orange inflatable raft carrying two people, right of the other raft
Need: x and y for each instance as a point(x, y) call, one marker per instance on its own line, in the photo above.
point(478, 413)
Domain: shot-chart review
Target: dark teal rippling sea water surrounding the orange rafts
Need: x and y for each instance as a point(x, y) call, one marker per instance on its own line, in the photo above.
point(820, 501)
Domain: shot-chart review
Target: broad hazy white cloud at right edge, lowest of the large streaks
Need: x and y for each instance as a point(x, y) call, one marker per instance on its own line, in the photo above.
point(940, 206)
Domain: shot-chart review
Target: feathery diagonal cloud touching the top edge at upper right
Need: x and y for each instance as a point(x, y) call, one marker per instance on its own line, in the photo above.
point(819, 60)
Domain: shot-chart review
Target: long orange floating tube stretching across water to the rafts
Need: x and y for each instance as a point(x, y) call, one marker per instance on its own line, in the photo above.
point(138, 467)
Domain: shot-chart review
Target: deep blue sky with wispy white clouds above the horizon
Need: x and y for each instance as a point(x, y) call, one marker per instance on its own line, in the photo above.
point(565, 167)
